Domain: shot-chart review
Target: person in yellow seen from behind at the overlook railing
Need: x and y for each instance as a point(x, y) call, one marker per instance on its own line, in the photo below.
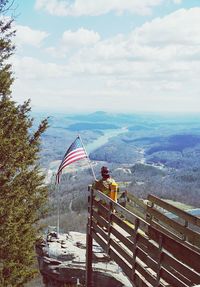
point(106, 184)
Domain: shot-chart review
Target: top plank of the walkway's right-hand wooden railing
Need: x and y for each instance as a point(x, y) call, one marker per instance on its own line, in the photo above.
point(171, 208)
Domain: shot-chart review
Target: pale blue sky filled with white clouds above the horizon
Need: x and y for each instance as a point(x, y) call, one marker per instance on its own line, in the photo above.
point(111, 55)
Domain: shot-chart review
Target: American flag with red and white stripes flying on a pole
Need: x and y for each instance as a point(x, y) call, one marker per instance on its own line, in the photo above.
point(75, 152)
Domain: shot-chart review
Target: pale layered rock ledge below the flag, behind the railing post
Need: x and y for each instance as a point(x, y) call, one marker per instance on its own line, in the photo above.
point(62, 262)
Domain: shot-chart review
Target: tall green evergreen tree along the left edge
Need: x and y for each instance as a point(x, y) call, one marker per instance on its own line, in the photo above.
point(22, 191)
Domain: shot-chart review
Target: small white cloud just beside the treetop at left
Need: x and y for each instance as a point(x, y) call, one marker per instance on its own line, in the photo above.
point(28, 36)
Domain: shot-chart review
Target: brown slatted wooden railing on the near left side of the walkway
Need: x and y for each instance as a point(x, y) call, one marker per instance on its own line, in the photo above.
point(147, 254)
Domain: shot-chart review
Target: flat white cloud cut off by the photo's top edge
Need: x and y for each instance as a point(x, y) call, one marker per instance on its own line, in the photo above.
point(97, 7)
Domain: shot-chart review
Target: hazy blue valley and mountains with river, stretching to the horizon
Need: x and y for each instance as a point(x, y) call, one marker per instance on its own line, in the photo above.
point(152, 153)
